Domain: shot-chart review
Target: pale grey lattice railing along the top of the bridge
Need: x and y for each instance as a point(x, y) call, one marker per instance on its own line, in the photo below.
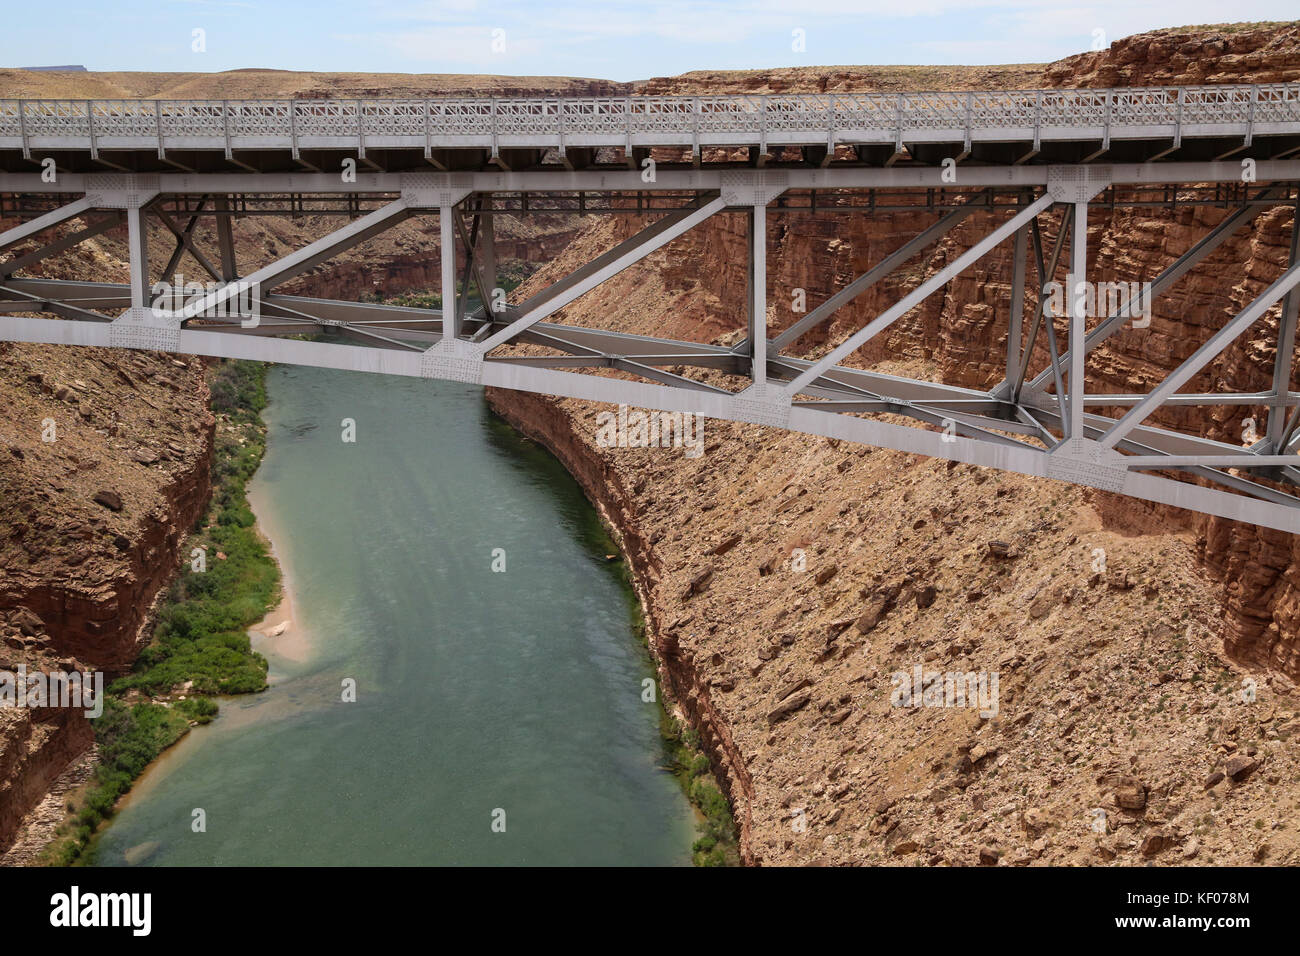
point(151, 122)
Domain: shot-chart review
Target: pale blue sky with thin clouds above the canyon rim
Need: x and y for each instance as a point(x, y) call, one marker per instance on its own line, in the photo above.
point(617, 40)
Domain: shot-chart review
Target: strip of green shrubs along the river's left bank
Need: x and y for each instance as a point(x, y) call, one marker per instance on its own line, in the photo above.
point(200, 648)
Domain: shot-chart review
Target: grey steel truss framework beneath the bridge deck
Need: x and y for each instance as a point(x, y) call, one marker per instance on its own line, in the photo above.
point(1035, 422)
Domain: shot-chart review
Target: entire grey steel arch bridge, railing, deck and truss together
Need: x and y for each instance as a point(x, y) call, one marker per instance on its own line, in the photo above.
point(1020, 162)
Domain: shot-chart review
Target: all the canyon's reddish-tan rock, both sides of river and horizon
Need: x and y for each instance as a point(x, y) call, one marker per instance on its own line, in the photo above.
point(787, 579)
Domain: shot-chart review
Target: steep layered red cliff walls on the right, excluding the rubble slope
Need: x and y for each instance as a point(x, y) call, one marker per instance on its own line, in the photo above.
point(960, 334)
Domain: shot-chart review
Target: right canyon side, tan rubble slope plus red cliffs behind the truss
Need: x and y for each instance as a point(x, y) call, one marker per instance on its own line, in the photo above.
point(1159, 690)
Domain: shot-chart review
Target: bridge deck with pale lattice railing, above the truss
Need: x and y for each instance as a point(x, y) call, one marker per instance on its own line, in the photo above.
point(457, 132)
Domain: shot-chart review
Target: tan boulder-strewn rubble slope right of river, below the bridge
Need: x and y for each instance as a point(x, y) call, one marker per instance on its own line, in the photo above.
point(788, 579)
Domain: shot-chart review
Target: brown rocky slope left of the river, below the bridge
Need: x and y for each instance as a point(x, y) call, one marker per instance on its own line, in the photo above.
point(90, 529)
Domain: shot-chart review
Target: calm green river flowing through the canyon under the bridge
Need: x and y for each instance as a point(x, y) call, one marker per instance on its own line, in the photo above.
point(499, 717)
